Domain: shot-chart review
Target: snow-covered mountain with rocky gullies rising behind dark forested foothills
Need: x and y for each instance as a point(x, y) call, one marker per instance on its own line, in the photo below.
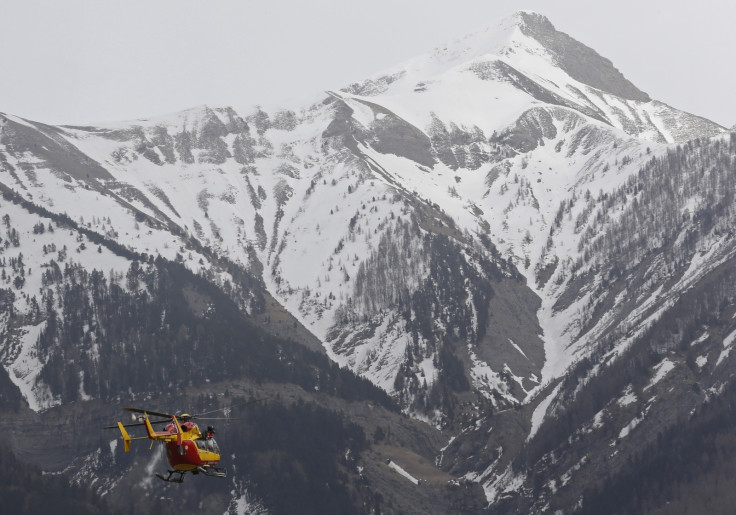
point(491, 225)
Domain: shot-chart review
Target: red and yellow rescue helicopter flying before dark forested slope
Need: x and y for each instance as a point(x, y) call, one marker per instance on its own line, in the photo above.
point(188, 449)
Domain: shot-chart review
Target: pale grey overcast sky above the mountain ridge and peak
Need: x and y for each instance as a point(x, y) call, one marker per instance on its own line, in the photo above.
point(84, 61)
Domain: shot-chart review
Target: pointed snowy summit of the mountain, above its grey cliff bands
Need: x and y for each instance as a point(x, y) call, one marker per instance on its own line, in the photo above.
point(489, 78)
